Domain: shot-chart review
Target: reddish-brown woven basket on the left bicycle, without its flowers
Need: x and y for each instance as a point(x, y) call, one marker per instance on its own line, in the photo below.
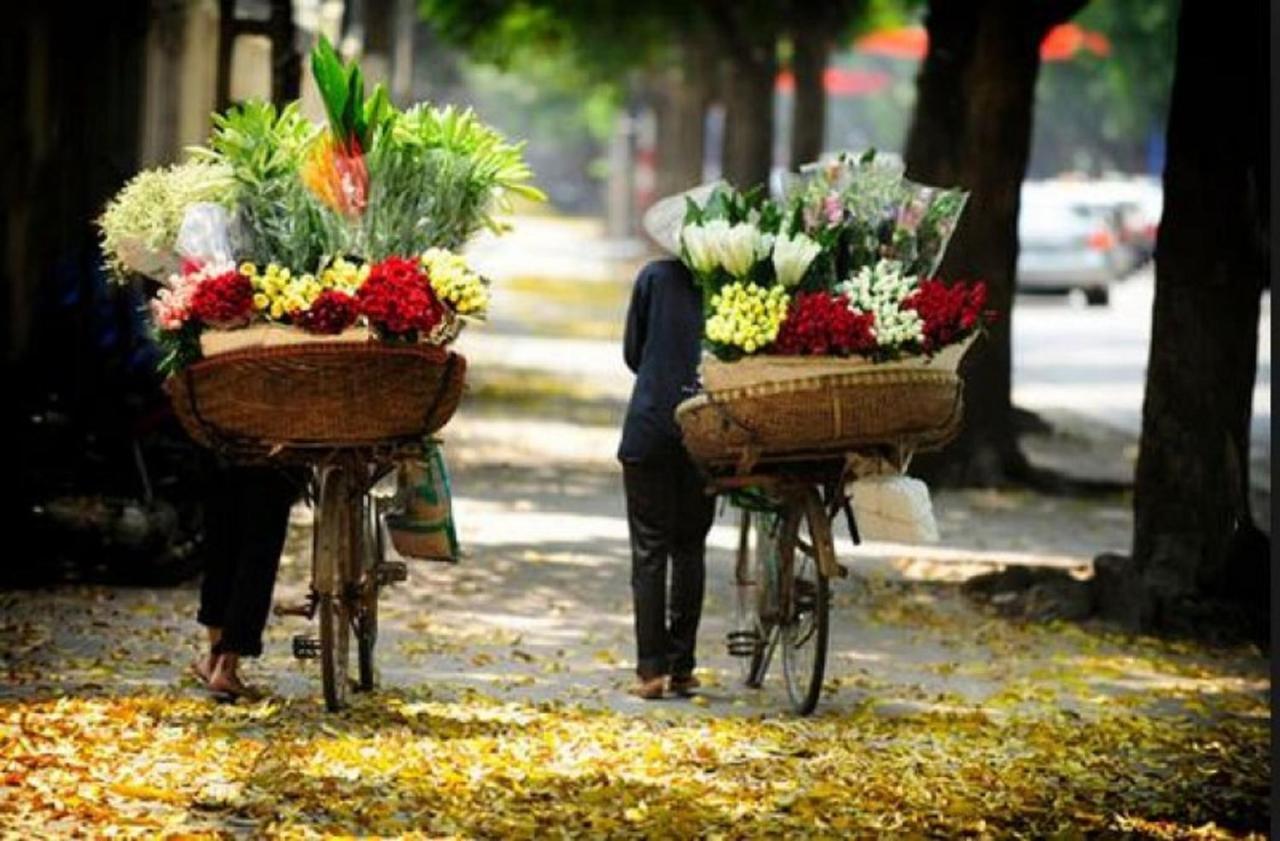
point(318, 396)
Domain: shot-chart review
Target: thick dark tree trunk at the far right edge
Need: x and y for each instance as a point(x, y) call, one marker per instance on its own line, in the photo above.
point(1195, 541)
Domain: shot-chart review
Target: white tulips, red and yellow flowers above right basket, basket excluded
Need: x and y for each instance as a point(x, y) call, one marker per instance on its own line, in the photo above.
point(844, 266)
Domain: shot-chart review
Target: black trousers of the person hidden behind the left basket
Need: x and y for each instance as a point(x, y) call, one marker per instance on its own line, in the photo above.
point(248, 519)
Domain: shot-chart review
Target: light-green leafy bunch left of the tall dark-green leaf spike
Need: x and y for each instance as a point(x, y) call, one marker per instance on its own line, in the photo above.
point(284, 221)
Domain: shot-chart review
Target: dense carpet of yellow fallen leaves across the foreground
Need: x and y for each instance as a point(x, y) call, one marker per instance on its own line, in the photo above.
point(470, 766)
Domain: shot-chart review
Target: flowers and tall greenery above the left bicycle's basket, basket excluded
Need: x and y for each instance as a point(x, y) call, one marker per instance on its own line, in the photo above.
point(319, 228)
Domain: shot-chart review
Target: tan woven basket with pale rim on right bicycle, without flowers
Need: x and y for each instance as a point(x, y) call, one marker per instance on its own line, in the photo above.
point(833, 412)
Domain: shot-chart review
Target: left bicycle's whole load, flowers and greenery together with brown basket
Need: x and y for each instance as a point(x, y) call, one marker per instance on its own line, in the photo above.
point(308, 276)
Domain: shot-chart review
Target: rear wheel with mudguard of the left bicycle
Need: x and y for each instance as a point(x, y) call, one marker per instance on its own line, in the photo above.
point(333, 555)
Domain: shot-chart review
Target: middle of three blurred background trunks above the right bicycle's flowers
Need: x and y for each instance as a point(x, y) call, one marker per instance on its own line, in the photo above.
point(749, 117)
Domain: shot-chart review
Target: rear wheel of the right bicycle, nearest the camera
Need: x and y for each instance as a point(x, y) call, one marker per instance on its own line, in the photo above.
point(804, 547)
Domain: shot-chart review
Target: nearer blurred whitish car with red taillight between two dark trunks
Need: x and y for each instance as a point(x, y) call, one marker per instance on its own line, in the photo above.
point(1069, 241)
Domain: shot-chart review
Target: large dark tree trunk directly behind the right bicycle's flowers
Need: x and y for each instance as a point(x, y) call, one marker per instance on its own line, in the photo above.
point(973, 129)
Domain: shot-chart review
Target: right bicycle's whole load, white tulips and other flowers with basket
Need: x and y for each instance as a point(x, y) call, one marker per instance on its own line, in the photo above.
point(825, 331)
